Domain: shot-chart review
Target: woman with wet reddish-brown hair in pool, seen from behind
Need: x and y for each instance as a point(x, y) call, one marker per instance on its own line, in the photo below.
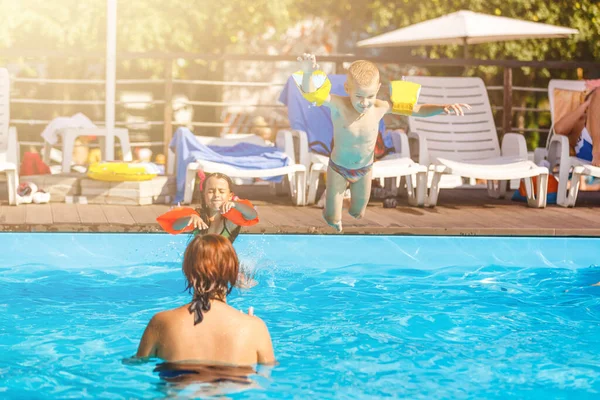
point(207, 328)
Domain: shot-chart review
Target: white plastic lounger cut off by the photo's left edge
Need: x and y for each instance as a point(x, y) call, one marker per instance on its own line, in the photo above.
point(9, 149)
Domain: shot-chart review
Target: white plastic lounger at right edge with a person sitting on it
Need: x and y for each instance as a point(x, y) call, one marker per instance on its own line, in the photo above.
point(558, 152)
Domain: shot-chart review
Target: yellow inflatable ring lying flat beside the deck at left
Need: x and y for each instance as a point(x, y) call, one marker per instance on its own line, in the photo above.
point(122, 171)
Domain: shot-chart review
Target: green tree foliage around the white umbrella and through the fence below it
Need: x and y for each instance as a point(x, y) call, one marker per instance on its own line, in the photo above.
point(371, 17)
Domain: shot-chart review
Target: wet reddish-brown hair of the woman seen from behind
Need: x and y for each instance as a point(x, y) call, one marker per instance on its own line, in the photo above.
point(211, 267)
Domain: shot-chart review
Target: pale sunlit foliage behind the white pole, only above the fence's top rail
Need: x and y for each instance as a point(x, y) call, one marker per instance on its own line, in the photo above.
point(143, 25)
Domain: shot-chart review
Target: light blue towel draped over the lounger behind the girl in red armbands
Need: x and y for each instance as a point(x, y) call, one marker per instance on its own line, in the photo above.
point(241, 155)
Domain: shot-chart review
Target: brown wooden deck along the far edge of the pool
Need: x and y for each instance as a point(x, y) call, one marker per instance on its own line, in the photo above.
point(460, 212)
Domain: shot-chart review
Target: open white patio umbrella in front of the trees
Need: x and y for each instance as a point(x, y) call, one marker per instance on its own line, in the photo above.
point(466, 27)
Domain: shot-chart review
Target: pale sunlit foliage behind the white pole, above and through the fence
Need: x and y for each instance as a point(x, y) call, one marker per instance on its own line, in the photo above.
point(197, 26)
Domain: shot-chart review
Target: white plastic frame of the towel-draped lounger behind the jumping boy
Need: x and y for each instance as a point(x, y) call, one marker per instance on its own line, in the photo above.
point(397, 165)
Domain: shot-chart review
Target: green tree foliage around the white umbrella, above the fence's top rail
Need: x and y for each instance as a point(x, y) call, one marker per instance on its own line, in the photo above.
point(371, 17)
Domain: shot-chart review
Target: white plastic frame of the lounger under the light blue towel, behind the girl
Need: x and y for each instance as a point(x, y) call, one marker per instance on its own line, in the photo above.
point(295, 173)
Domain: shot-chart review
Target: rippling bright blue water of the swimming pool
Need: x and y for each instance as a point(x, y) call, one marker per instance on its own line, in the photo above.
point(351, 317)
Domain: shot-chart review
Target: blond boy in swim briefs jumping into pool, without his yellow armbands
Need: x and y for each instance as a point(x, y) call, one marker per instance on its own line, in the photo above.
point(355, 129)
